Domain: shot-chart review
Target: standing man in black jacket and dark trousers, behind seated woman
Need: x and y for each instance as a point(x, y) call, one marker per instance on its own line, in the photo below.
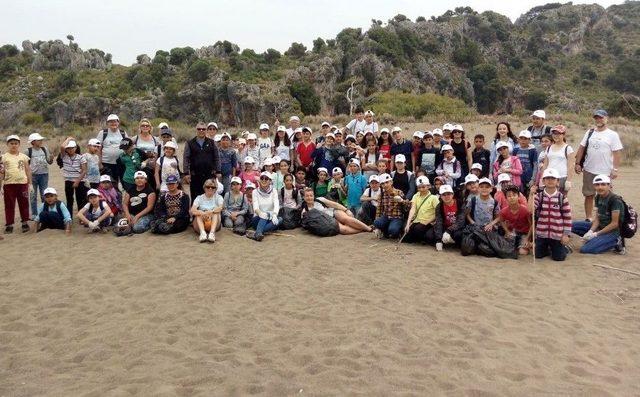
point(201, 161)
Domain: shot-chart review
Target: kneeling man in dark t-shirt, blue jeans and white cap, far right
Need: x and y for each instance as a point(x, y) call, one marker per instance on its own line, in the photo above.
point(604, 233)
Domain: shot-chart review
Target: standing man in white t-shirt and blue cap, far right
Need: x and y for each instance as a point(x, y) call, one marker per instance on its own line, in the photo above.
point(600, 152)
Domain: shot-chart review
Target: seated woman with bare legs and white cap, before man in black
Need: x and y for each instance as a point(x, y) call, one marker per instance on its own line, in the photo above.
point(206, 211)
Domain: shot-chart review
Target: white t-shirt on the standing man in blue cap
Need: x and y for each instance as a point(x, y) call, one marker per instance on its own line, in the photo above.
point(600, 151)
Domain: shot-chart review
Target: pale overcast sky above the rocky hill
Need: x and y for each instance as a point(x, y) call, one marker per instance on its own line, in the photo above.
point(129, 28)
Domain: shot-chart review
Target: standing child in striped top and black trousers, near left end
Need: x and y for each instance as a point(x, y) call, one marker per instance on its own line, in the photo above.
point(74, 169)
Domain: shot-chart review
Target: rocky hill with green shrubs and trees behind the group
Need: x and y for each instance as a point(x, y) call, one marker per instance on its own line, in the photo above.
point(561, 56)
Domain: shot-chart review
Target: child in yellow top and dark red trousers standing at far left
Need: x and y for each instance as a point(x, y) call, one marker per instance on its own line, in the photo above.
point(15, 175)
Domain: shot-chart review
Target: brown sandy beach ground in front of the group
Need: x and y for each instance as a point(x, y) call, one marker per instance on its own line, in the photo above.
point(90, 315)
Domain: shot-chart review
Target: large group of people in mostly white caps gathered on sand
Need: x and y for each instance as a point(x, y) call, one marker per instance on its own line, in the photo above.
point(441, 187)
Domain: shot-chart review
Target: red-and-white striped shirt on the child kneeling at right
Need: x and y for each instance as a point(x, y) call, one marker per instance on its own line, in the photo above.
point(553, 221)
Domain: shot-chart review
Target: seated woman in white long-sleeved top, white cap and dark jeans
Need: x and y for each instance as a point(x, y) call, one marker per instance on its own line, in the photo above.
point(265, 208)
